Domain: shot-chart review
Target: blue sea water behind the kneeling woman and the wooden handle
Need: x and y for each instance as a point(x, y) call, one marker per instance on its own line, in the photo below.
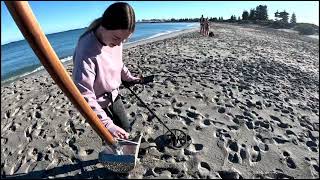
point(19, 60)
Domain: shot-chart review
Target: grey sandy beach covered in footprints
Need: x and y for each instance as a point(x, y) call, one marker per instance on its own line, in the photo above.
point(248, 98)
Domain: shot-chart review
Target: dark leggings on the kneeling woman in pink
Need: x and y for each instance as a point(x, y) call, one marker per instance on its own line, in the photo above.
point(118, 114)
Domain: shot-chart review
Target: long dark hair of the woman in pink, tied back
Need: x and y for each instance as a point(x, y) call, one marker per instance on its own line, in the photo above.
point(119, 15)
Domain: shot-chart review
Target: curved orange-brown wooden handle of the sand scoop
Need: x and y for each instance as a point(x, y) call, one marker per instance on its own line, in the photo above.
point(31, 30)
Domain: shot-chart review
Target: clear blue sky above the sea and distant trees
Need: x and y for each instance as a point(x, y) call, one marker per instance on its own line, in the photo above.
point(57, 16)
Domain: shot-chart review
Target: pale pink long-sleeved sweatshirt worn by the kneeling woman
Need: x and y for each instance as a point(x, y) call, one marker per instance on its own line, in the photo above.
point(99, 69)
